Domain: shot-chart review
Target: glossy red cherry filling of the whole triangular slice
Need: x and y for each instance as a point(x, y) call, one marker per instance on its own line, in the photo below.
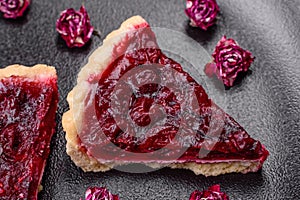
point(143, 113)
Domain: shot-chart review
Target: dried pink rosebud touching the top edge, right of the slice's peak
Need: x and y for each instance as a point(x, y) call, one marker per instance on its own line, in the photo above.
point(202, 13)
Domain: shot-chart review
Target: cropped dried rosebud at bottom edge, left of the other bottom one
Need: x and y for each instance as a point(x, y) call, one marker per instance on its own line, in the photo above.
point(99, 194)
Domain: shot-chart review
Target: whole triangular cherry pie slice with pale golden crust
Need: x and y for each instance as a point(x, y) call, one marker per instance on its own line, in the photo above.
point(133, 104)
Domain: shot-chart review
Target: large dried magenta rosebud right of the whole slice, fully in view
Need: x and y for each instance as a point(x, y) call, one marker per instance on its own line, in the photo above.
point(230, 60)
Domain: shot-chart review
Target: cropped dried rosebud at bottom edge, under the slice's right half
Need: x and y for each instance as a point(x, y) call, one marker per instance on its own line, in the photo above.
point(213, 193)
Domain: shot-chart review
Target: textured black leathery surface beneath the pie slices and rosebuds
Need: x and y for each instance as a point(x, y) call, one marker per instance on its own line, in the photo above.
point(266, 103)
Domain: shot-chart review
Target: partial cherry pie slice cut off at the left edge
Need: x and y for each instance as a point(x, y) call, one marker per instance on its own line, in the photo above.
point(28, 103)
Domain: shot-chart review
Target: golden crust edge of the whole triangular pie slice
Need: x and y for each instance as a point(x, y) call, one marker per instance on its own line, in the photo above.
point(97, 61)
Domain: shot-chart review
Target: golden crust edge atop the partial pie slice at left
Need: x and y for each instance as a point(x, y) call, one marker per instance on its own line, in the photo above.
point(36, 71)
